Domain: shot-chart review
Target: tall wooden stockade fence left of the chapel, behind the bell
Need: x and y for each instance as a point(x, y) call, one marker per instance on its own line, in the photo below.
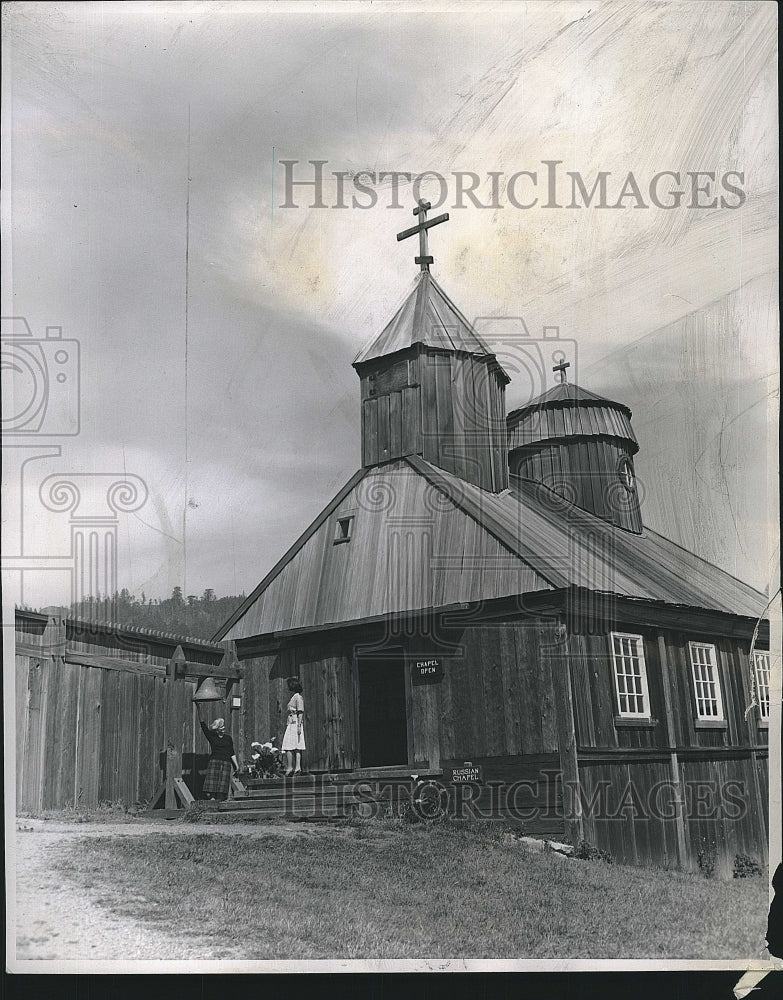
point(104, 713)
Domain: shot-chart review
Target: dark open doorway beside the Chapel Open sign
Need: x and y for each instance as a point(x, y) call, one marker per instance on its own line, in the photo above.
point(383, 716)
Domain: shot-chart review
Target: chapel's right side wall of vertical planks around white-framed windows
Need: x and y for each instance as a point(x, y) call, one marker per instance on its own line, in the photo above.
point(641, 767)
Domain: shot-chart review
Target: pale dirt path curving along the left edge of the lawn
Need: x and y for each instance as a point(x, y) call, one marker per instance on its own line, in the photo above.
point(57, 921)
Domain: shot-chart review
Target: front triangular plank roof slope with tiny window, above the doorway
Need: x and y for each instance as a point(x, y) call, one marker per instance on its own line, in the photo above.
point(411, 548)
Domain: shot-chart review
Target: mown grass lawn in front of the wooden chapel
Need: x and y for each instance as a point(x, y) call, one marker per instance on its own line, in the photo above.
point(390, 890)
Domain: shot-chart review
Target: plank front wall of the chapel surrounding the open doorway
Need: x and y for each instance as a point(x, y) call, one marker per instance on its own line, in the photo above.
point(493, 700)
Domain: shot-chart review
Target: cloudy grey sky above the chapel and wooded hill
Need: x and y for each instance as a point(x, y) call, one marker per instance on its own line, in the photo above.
point(143, 213)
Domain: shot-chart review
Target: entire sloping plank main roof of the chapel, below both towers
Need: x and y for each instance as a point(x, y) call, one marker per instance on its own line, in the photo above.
point(486, 546)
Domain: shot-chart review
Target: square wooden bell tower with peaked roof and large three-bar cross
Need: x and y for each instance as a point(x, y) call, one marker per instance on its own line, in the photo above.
point(431, 386)
